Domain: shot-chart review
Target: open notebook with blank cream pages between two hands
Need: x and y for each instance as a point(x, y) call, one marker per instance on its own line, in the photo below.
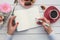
point(27, 18)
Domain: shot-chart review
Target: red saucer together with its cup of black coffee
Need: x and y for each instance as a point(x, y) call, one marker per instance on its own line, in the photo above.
point(52, 14)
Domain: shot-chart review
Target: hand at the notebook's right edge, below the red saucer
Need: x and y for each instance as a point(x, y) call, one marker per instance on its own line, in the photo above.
point(48, 29)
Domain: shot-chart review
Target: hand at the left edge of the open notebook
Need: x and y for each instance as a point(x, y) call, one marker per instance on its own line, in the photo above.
point(11, 27)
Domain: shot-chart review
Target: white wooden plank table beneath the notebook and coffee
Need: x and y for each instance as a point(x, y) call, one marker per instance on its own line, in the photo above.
point(35, 33)
